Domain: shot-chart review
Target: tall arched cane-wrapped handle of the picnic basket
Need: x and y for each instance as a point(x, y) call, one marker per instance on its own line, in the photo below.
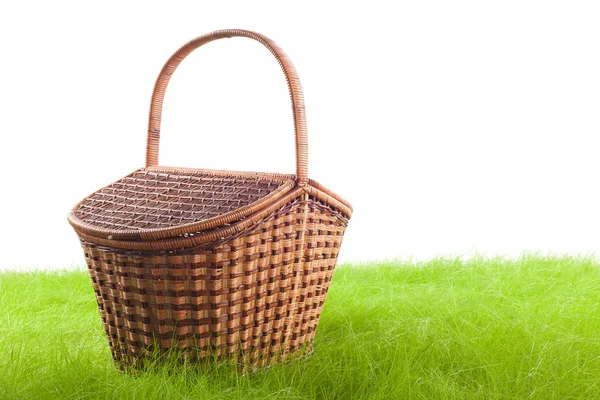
point(291, 76)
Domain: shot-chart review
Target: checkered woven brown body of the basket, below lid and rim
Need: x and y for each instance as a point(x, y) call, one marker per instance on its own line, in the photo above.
point(256, 298)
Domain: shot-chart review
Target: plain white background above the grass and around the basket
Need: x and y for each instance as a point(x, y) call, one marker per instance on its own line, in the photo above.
point(453, 128)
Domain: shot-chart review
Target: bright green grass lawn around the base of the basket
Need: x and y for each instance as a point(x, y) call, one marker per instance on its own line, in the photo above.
point(444, 329)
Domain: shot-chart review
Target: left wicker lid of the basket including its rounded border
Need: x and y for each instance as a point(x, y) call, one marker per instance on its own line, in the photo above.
point(167, 202)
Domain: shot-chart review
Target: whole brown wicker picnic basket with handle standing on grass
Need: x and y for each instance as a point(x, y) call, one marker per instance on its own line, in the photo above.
point(211, 263)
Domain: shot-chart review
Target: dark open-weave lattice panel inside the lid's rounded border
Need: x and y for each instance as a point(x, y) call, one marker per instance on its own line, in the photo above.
point(150, 199)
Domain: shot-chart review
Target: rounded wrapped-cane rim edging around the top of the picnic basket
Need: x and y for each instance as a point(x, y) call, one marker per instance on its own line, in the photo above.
point(288, 183)
